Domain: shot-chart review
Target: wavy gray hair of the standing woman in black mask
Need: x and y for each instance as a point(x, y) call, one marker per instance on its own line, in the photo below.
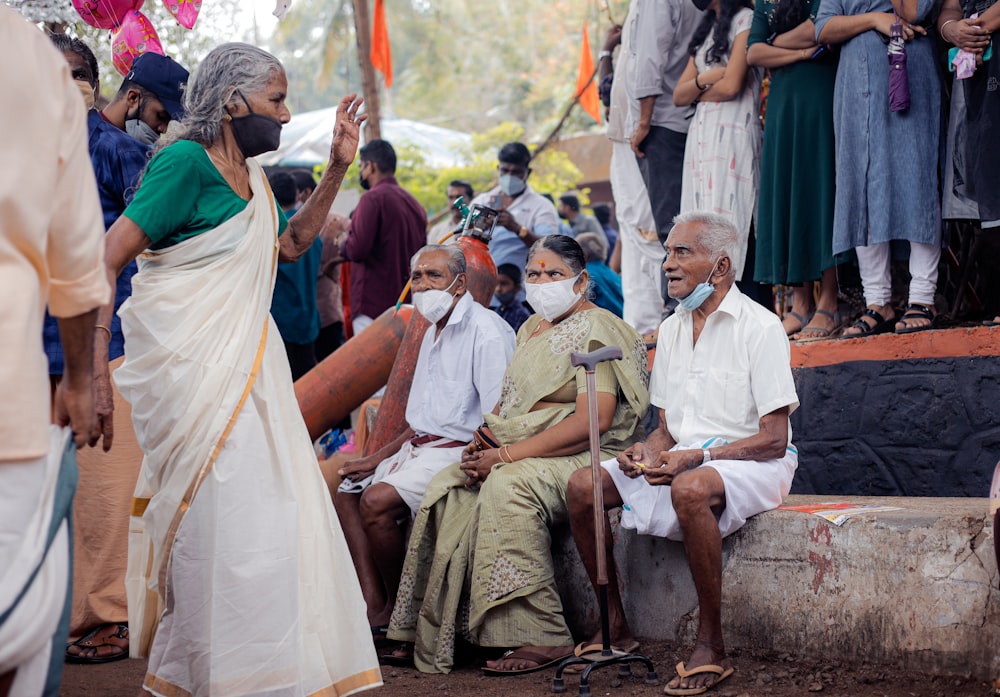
point(226, 70)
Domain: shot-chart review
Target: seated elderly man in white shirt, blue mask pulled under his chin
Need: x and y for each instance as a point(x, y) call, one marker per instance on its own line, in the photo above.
point(722, 452)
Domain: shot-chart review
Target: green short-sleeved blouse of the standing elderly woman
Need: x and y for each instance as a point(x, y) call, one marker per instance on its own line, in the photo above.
point(183, 195)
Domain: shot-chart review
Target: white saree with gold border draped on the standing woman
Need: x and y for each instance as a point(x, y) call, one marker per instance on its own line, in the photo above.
point(239, 579)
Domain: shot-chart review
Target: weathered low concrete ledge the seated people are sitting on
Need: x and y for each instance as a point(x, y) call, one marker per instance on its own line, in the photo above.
point(916, 586)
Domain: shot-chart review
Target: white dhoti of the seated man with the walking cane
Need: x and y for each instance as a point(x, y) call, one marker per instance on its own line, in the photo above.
point(752, 487)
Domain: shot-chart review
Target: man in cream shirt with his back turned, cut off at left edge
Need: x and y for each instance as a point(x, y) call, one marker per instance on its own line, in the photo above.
point(51, 252)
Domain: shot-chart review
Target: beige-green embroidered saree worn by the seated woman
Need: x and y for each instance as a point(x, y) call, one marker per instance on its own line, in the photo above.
point(478, 565)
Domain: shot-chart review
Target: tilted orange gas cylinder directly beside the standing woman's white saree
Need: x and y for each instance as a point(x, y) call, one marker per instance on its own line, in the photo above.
point(346, 378)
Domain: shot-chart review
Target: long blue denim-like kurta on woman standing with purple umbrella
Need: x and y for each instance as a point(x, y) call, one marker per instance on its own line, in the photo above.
point(887, 162)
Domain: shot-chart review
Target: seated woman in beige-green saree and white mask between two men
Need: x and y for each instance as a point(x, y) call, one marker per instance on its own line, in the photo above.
point(478, 565)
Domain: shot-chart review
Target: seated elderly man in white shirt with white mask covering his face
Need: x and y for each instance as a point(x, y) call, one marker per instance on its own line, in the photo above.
point(457, 379)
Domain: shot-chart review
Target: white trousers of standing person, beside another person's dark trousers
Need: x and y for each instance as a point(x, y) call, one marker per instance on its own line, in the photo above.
point(642, 258)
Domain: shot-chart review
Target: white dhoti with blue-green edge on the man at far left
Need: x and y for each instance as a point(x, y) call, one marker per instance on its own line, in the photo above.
point(35, 498)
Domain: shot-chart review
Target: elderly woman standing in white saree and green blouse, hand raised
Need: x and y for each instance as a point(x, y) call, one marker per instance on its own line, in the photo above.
point(239, 579)
